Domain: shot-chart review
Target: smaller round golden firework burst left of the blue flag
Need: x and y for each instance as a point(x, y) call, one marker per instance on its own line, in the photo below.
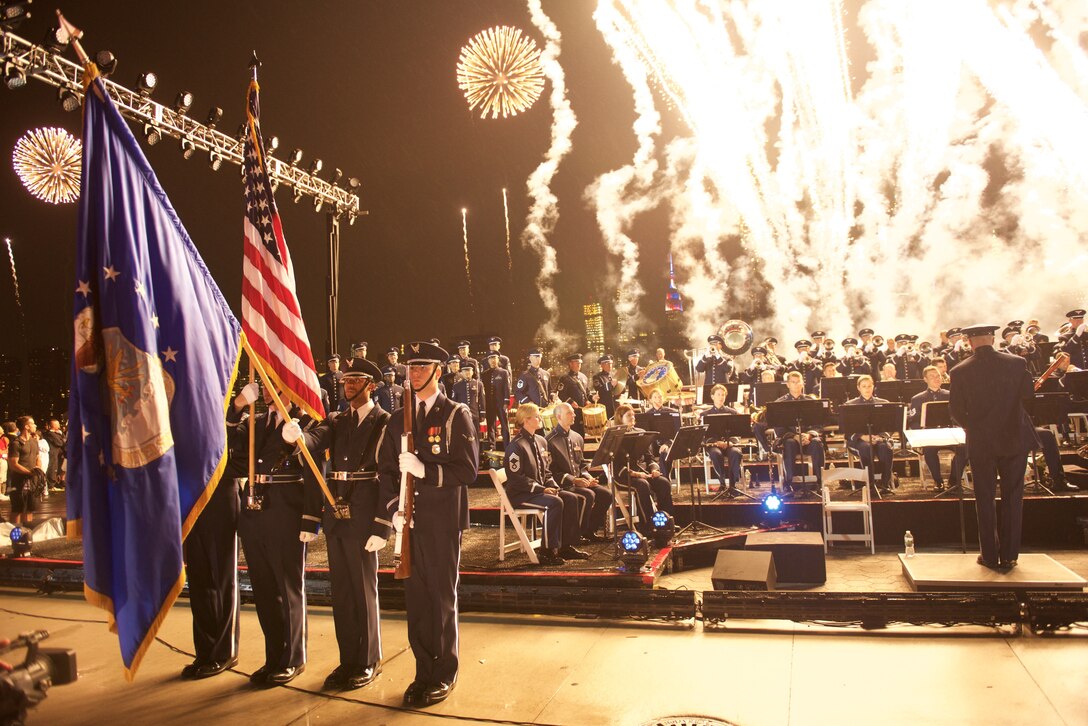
point(47, 161)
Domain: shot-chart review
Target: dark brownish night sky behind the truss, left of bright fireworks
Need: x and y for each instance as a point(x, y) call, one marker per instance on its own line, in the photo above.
point(369, 88)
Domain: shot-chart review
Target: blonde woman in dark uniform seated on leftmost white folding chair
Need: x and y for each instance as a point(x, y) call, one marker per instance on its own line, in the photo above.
point(529, 485)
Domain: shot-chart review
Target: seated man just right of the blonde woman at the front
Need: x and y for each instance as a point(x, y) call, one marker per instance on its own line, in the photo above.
point(568, 467)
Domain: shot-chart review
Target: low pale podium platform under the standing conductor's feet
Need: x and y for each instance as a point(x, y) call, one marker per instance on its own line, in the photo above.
point(961, 573)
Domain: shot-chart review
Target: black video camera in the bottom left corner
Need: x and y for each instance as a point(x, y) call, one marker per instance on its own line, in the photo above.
point(27, 684)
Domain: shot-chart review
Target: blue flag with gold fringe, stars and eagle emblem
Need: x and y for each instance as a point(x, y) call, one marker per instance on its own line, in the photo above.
point(156, 354)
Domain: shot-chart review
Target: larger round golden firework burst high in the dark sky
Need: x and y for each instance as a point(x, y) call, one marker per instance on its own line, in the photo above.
point(501, 72)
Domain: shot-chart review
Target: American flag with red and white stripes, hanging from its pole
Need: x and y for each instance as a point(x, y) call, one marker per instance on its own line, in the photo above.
point(271, 317)
